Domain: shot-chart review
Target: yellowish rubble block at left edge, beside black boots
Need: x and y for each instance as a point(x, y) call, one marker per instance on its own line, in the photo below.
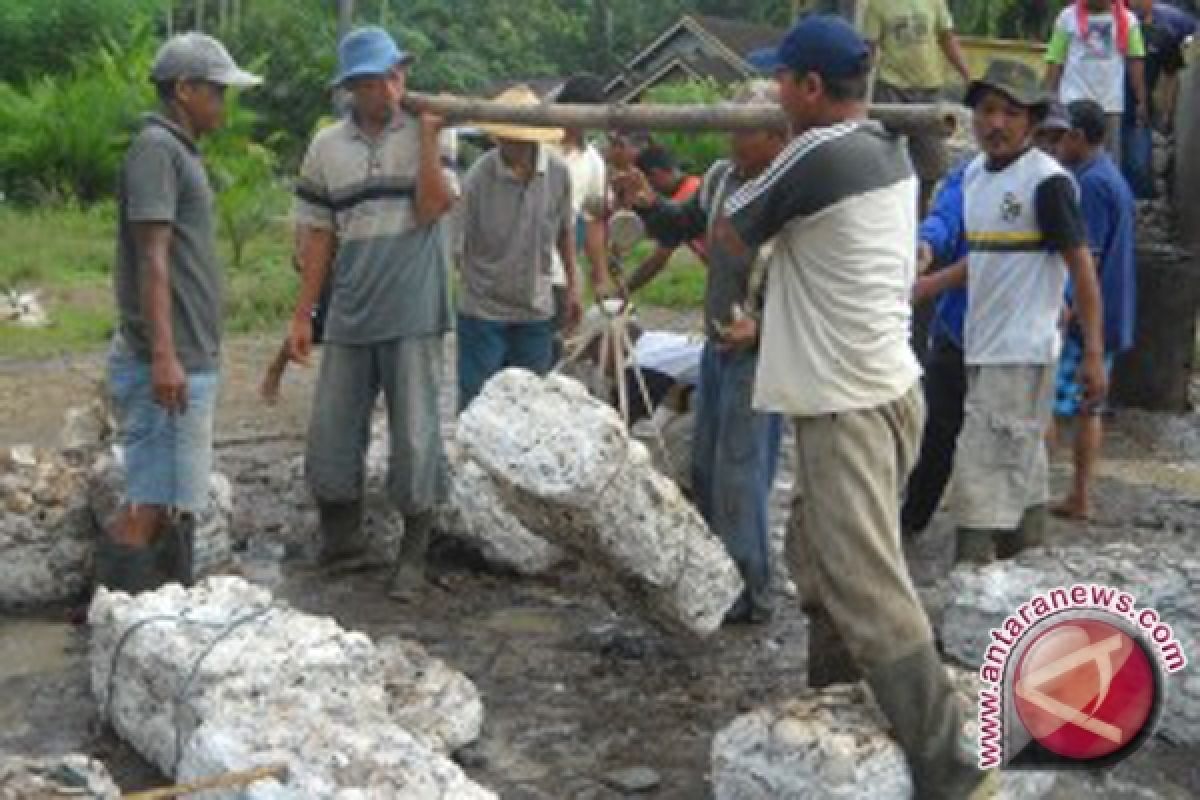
point(46, 533)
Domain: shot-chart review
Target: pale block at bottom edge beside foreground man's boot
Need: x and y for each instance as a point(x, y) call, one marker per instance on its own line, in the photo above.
point(831, 743)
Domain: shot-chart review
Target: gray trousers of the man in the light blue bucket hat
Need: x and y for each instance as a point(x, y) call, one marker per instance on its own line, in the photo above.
point(409, 372)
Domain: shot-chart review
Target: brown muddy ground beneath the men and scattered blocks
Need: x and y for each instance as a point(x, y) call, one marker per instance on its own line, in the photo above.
point(573, 690)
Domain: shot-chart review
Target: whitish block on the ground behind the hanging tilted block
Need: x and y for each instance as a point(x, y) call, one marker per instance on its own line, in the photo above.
point(478, 516)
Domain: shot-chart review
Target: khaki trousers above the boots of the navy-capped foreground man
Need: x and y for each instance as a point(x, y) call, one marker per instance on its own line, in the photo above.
point(844, 534)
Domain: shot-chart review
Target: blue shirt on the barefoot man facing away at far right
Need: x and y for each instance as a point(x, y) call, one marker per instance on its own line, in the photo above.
point(1111, 214)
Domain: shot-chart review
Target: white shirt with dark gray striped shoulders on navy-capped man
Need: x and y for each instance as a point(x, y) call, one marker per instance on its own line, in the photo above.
point(841, 203)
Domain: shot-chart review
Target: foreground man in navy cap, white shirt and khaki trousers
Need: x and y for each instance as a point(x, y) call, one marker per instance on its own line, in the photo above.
point(841, 203)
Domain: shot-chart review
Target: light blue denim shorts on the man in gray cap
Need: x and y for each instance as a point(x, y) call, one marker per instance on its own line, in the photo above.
point(169, 458)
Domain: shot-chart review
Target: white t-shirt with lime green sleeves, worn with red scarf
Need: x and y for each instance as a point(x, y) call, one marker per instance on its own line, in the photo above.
point(1094, 68)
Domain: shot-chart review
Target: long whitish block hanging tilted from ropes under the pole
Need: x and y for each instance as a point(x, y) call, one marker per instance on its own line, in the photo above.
point(571, 472)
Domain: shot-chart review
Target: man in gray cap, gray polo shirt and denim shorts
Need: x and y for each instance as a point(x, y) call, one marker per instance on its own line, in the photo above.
point(166, 352)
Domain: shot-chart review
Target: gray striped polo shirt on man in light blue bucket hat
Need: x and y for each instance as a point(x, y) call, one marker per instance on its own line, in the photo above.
point(391, 274)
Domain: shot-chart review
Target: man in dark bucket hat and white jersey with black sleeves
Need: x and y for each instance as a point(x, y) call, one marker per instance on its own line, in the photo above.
point(1025, 232)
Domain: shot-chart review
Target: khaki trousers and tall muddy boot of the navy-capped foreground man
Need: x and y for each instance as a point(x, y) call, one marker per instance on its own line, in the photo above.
point(845, 555)
